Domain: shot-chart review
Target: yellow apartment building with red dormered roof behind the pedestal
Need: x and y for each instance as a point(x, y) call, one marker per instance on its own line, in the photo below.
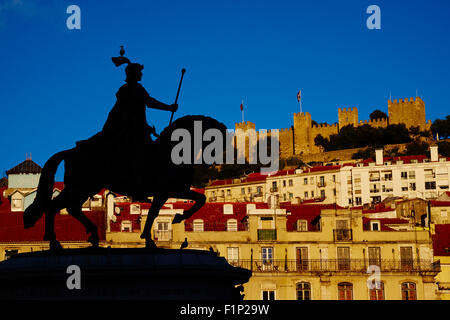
point(304, 252)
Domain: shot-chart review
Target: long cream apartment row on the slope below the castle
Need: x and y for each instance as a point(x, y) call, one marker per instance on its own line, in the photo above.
point(348, 184)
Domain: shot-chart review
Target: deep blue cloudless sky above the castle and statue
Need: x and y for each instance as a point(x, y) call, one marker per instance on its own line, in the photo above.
point(58, 85)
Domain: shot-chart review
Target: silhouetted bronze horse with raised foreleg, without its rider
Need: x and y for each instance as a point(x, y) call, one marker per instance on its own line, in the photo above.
point(89, 168)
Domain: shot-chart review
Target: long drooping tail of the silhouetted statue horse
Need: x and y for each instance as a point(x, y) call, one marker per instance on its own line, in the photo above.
point(45, 190)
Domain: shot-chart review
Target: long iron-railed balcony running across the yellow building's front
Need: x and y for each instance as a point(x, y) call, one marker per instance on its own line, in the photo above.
point(337, 265)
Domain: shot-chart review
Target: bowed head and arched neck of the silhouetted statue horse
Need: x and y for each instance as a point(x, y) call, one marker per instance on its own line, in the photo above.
point(194, 140)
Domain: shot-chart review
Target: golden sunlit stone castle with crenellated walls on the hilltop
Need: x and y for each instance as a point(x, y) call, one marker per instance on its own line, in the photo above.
point(299, 138)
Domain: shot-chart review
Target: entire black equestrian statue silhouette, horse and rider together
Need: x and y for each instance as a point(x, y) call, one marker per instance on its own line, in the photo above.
point(124, 159)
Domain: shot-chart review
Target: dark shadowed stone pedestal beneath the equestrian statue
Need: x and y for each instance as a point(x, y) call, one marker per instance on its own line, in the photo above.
point(121, 274)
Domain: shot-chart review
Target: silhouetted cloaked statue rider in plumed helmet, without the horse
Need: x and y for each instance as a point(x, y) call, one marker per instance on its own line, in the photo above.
point(126, 125)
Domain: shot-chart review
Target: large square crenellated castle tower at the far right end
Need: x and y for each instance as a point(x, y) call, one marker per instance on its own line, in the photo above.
point(410, 111)
